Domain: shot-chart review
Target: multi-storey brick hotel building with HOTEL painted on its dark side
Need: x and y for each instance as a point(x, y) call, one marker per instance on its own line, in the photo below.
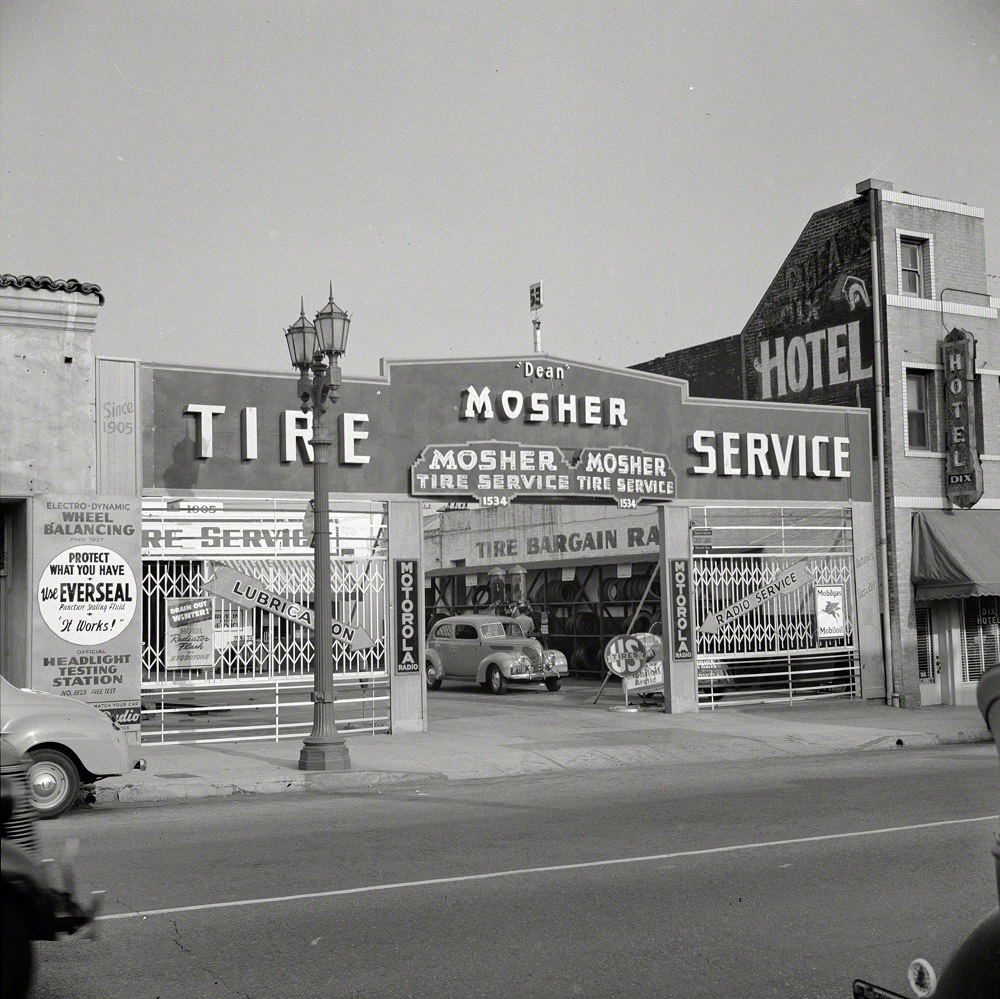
point(915, 339)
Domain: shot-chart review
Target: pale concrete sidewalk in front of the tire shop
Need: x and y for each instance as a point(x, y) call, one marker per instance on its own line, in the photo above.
point(530, 732)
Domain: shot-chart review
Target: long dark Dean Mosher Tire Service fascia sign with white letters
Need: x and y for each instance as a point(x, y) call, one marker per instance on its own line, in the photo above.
point(500, 430)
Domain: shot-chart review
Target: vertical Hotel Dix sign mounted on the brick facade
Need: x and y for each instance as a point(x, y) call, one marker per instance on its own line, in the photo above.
point(963, 474)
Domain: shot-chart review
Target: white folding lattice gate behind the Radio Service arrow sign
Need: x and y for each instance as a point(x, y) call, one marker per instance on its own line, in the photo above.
point(775, 651)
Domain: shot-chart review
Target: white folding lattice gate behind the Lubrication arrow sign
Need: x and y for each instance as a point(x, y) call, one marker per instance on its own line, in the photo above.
point(260, 681)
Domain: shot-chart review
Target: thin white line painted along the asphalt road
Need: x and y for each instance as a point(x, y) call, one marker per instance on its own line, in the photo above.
point(520, 872)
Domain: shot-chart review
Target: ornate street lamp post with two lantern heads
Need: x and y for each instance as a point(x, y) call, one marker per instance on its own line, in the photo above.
point(316, 349)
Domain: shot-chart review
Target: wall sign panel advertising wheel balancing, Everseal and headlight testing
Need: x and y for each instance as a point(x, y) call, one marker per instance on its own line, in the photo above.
point(87, 635)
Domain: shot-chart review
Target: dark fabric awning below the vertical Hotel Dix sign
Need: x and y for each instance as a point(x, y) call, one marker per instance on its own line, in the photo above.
point(956, 553)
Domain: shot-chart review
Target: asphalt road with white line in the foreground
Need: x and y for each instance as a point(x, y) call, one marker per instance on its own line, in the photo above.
point(787, 877)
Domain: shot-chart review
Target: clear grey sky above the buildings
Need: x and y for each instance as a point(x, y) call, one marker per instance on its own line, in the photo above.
point(210, 163)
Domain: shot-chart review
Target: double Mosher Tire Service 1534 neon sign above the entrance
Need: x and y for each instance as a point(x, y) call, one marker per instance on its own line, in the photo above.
point(497, 472)
